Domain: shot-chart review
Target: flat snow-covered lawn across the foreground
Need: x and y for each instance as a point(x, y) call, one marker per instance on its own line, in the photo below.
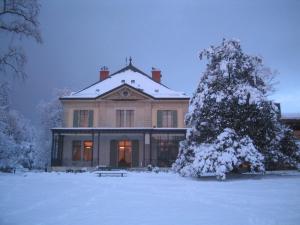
point(147, 198)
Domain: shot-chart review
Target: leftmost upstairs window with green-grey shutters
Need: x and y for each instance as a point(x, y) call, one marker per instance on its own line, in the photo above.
point(83, 118)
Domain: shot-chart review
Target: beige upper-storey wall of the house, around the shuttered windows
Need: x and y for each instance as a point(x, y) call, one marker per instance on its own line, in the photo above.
point(145, 110)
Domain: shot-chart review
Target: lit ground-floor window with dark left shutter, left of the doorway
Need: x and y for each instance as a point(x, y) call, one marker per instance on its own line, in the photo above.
point(82, 154)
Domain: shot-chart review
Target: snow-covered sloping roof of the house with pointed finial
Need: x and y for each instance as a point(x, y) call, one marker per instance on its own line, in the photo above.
point(132, 77)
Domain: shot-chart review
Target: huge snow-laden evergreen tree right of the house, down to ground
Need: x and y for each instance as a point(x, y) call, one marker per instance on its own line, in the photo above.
point(231, 123)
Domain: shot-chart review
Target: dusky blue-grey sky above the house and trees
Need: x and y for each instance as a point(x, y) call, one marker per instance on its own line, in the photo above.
point(79, 37)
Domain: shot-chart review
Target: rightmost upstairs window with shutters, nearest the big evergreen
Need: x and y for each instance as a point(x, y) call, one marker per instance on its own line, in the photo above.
point(166, 118)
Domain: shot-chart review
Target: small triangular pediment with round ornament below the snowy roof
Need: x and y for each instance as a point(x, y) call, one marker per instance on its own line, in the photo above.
point(125, 93)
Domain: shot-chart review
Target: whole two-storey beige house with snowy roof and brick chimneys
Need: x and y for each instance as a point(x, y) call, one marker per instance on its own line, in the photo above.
point(126, 119)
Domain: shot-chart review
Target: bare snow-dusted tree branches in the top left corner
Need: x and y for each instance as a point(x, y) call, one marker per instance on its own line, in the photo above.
point(19, 19)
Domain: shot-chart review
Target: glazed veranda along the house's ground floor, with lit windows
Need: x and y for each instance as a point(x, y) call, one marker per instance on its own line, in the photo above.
point(115, 147)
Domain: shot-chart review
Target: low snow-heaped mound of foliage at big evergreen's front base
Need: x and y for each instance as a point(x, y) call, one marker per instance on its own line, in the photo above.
point(224, 155)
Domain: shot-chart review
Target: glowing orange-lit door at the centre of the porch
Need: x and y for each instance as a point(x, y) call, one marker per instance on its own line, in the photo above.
point(124, 153)
